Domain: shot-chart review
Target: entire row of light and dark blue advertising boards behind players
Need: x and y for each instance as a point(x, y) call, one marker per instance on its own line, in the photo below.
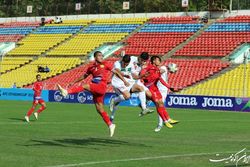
point(173, 101)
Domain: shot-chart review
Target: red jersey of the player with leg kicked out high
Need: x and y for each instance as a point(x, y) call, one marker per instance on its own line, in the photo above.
point(100, 71)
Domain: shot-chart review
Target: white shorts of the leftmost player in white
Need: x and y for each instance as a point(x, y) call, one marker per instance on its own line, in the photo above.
point(120, 86)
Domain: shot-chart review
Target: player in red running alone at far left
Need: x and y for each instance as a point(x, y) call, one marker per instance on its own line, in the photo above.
point(38, 87)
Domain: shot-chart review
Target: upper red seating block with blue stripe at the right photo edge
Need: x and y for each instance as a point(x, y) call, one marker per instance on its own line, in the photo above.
point(220, 39)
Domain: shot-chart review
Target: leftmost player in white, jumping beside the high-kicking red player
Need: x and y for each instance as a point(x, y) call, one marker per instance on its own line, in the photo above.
point(126, 67)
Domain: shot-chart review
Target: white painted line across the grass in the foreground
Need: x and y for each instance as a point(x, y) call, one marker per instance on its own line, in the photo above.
point(140, 159)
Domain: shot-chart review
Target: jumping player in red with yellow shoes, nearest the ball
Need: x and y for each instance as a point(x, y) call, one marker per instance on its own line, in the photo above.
point(151, 75)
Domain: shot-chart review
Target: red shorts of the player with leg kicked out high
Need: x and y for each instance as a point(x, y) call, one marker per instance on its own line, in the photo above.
point(98, 91)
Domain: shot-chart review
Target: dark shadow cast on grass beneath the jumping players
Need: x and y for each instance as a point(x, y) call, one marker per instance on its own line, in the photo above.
point(84, 142)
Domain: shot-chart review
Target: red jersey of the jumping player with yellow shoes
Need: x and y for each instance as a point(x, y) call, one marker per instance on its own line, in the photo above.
point(153, 77)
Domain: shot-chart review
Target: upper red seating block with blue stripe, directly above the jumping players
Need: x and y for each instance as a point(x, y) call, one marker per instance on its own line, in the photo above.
point(159, 36)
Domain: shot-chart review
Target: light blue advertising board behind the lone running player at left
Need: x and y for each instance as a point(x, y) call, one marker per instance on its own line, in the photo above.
point(21, 94)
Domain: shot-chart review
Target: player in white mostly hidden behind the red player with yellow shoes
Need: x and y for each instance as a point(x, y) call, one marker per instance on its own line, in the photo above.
point(164, 92)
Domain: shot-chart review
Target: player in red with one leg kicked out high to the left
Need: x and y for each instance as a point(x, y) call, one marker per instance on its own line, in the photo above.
point(100, 72)
